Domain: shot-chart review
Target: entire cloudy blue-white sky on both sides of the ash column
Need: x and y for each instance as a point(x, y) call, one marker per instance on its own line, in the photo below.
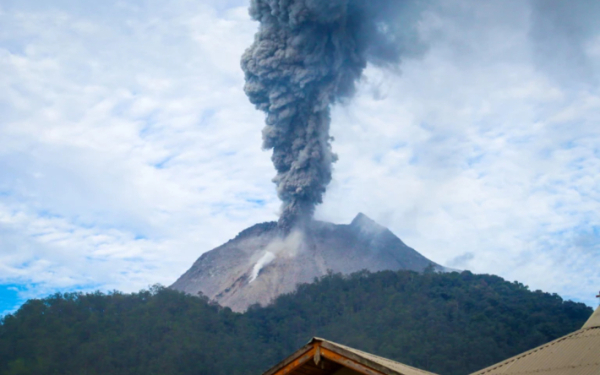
point(128, 147)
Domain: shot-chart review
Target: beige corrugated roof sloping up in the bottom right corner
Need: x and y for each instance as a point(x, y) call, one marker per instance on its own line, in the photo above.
point(574, 354)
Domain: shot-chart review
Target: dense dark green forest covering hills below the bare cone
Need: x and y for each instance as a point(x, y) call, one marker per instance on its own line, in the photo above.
point(452, 323)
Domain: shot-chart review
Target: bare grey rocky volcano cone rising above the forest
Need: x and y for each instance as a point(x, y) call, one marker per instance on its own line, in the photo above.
point(258, 265)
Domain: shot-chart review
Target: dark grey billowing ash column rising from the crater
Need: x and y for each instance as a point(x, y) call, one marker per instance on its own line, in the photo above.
point(307, 55)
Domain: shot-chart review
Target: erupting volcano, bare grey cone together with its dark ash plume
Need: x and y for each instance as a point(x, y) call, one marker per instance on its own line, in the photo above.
point(307, 56)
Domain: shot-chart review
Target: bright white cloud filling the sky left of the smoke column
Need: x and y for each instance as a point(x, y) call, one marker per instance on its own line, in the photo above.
point(127, 150)
